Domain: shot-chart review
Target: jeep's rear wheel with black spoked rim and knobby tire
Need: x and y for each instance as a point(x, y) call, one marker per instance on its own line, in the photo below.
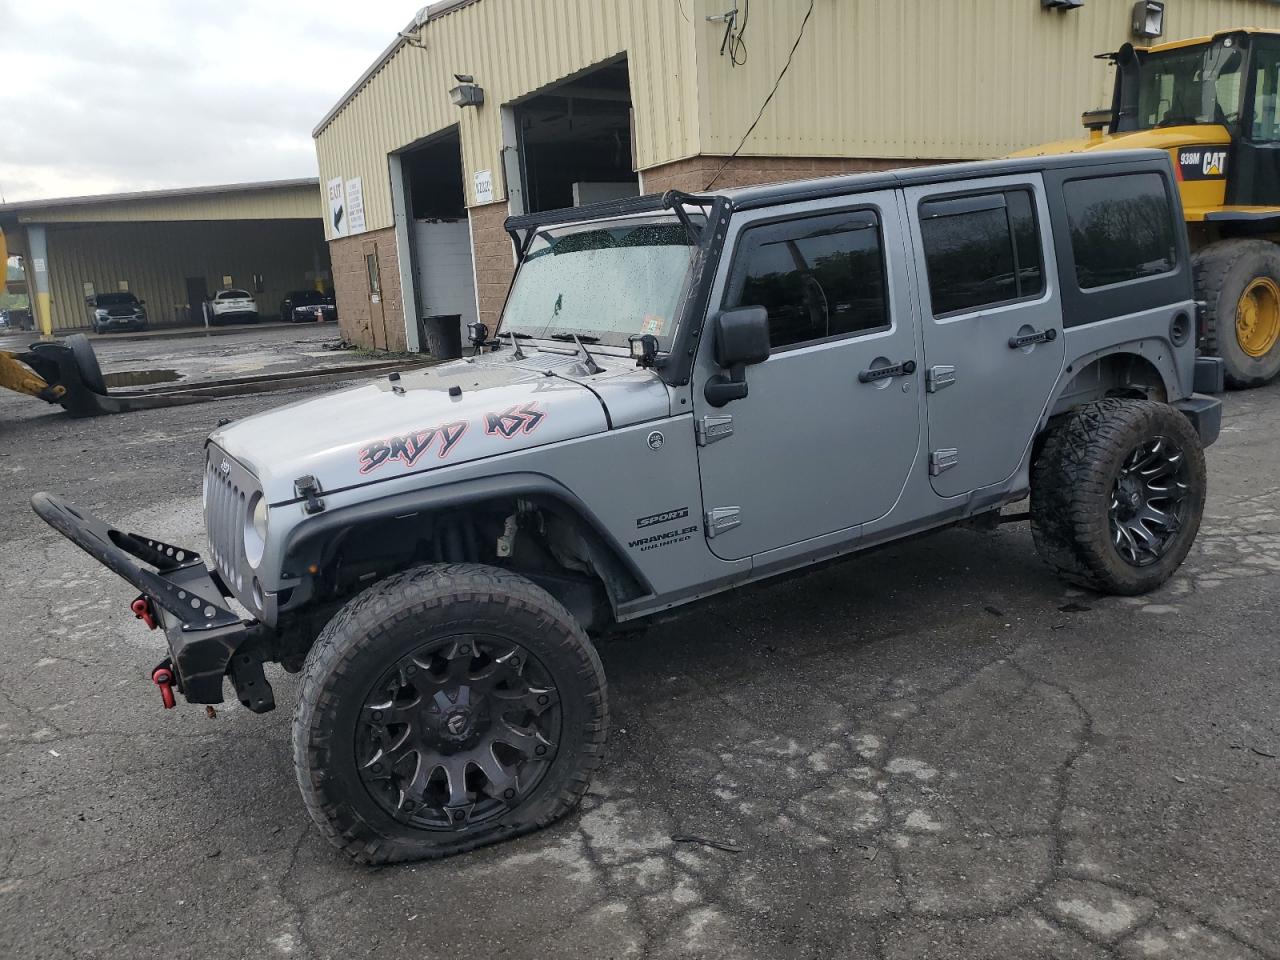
point(1118, 493)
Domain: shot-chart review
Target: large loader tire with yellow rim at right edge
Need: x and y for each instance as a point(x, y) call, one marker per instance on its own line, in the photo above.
point(1240, 282)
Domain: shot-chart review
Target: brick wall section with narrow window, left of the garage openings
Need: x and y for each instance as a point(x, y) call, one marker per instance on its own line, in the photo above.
point(359, 319)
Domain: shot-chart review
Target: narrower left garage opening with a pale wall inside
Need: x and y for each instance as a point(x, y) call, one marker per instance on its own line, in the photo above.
point(441, 235)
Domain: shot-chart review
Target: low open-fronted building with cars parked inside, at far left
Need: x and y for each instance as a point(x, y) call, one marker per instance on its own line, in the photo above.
point(168, 248)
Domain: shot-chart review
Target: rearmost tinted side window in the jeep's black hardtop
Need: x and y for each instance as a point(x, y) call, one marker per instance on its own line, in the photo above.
point(1121, 228)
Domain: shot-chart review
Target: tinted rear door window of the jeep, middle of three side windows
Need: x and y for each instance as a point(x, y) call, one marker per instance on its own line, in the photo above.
point(981, 250)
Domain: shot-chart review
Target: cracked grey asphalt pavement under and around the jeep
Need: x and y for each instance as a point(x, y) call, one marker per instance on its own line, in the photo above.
point(934, 751)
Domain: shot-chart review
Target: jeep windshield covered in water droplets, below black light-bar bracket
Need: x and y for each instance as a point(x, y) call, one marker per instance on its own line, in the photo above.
point(602, 282)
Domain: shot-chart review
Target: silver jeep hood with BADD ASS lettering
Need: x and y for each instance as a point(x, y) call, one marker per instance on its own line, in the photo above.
point(451, 414)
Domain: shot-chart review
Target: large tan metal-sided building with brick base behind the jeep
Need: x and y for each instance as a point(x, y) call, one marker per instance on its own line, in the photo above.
point(591, 99)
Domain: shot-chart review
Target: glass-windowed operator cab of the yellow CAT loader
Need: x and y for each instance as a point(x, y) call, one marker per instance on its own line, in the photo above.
point(1218, 99)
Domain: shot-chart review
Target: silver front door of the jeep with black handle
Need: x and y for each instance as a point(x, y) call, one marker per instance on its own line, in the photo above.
point(813, 450)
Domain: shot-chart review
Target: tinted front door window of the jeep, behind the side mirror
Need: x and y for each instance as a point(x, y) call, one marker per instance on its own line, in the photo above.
point(820, 277)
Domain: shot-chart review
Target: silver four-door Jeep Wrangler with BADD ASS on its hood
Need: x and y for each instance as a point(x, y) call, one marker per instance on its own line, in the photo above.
point(685, 395)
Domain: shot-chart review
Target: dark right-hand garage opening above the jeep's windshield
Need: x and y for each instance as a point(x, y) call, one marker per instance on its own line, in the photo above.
point(575, 141)
